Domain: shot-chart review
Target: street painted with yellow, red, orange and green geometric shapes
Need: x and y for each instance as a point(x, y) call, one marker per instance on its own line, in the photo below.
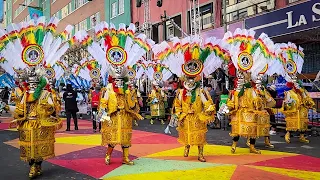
point(159, 156)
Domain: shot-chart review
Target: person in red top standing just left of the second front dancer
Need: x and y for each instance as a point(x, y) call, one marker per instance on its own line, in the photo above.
point(94, 100)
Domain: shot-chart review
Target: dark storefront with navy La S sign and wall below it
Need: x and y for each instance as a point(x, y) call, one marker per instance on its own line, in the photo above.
point(294, 25)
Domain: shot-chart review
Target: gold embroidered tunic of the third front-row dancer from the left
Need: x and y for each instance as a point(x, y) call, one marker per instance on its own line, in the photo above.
point(193, 117)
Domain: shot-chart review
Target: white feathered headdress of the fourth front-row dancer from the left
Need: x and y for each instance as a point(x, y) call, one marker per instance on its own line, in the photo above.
point(250, 55)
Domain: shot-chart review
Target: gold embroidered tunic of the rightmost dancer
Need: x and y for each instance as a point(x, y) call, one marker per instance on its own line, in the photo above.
point(296, 108)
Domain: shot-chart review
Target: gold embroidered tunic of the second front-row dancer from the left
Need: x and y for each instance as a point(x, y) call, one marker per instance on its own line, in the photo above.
point(118, 130)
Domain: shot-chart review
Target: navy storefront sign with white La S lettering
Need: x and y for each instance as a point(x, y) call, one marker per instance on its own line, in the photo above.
point(300, 17)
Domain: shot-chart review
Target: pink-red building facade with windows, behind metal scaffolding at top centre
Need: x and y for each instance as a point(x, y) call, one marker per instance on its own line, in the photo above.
point(178, 11)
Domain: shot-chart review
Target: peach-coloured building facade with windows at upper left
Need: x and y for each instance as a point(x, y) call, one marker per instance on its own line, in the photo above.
point(82, 14)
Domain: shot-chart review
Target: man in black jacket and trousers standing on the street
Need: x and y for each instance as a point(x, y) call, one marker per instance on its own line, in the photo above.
point(70, 99)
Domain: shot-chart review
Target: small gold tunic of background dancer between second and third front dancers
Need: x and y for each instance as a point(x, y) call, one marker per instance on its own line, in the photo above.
point(158, 108)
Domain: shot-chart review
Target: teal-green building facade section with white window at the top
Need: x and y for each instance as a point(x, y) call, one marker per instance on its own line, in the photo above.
point(118, 11)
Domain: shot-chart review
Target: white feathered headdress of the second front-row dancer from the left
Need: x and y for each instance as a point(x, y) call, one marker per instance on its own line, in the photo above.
point(115, 49)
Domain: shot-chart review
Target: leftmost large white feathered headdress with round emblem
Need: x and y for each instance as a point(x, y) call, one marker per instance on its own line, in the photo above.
point(33, 44)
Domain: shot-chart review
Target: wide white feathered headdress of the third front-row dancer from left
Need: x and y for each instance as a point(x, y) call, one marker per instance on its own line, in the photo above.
point(190, 56)
